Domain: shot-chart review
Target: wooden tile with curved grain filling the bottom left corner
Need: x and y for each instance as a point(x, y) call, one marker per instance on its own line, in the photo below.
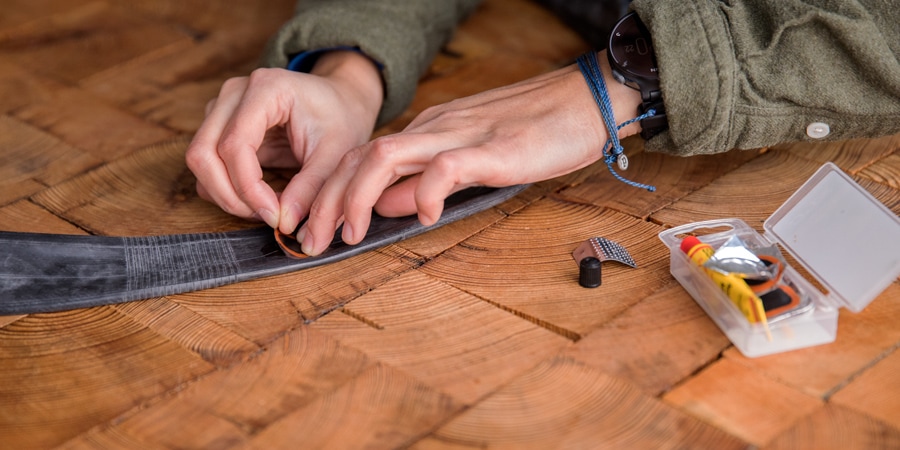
point(63, 373)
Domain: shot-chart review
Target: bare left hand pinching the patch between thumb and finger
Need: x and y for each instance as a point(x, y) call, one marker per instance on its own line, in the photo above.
point(279, 118)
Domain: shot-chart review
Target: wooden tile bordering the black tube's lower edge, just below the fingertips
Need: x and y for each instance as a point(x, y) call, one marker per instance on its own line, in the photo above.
point(263, 309)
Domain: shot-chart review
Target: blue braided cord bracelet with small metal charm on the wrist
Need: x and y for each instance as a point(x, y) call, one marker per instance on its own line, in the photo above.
point(612, 150)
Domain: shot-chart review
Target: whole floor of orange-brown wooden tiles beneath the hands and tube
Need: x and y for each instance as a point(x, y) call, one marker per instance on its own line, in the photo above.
point(469, 336)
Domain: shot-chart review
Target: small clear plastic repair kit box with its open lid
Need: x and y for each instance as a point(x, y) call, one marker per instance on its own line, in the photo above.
point(835, 229)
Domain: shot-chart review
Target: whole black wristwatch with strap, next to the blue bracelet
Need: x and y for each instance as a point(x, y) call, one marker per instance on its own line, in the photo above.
point(633, 63)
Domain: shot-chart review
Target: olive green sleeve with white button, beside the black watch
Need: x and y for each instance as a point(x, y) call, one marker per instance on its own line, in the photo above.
point(748, 74)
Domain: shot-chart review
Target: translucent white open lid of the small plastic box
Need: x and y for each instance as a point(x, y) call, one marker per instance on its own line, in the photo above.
point(842, 235)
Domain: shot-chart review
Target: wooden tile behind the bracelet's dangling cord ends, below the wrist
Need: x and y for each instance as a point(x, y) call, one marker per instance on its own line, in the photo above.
point(674, 177)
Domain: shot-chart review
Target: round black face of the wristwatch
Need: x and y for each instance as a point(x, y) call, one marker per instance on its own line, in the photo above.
point(631, 50)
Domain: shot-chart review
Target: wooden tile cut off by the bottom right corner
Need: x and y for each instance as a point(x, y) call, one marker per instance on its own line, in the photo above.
point(837, 428)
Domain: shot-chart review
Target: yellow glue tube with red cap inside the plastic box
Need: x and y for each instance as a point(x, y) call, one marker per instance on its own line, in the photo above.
point(735, 287)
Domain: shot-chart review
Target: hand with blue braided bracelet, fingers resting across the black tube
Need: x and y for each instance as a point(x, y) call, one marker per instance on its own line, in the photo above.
point(530, 131)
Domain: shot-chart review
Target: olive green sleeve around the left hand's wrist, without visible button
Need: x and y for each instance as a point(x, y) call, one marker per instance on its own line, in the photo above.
point(401, 35)
